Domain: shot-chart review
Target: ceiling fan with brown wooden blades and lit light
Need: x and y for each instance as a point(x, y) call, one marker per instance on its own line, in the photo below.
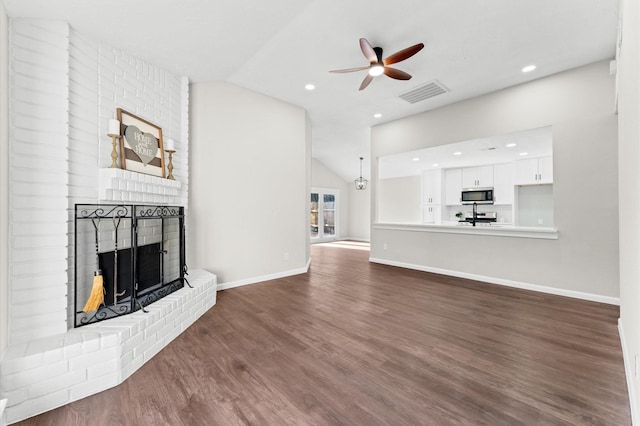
point(378, 66)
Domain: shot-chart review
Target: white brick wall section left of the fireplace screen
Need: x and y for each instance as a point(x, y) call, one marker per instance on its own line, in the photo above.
point(38, 178)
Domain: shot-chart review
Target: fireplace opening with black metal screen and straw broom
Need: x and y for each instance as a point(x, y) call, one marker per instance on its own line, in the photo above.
point(126, 257)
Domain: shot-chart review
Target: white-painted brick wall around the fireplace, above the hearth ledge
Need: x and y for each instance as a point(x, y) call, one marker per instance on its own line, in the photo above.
point(64, 89)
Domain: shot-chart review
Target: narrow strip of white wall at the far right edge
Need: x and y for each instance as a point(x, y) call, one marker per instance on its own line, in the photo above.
point(629, 180)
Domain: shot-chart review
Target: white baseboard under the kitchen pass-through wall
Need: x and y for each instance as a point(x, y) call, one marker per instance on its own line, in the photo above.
point(507, 283)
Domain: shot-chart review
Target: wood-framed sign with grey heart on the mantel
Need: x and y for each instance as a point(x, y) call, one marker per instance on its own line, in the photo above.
point(141, 148)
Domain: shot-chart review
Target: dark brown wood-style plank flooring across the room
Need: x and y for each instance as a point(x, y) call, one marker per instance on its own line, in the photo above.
point(355, 343)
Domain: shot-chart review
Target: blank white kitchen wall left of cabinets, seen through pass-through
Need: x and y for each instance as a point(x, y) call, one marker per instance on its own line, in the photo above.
point(400, 200)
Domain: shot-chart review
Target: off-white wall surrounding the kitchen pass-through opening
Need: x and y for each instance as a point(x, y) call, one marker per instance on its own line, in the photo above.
point(584, 260)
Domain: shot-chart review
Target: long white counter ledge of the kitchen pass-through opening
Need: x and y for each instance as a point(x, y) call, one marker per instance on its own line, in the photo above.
point(491, 229)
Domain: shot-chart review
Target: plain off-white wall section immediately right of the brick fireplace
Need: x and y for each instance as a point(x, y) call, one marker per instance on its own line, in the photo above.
point(248, 200)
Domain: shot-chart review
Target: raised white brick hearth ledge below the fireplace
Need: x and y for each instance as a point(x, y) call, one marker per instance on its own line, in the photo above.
point(47, 373)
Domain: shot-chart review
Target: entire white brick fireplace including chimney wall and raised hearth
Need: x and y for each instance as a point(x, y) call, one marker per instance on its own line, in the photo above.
point(64, 88)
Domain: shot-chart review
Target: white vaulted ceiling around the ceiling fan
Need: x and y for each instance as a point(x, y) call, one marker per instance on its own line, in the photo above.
point(275, 47)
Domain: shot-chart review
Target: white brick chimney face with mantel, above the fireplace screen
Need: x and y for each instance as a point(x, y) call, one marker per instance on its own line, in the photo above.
point(103, 79)
